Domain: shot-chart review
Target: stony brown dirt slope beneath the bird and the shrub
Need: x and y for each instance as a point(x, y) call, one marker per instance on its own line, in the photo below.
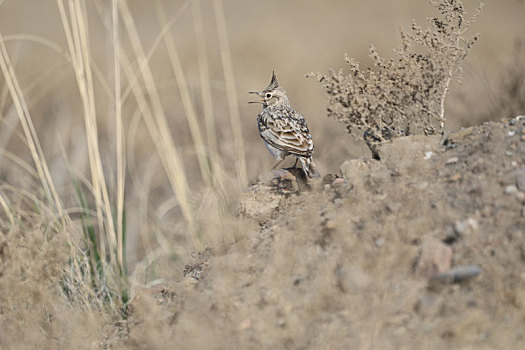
point(423, 249)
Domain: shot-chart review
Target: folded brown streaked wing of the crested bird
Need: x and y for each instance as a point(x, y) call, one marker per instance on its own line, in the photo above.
point(287, 132)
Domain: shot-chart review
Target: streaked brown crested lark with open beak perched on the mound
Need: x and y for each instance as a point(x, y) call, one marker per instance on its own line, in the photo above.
point(283, 130)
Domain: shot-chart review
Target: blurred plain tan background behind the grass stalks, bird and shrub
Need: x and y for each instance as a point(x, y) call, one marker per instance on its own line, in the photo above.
point(291, 37)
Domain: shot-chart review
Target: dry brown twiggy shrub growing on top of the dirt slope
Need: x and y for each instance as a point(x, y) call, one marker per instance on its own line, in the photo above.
point(404, 95)
